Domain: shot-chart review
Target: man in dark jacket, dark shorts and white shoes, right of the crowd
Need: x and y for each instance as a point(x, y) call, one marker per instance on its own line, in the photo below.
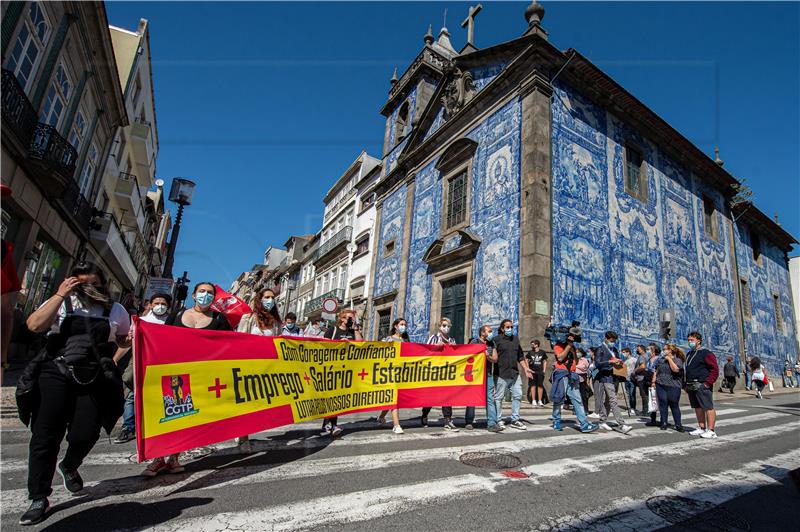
point(701, 373)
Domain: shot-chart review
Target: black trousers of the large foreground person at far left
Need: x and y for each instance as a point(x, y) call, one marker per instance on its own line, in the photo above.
point(65, 407)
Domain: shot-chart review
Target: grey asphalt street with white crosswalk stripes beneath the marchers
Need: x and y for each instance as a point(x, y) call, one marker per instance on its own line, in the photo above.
point(428, 479)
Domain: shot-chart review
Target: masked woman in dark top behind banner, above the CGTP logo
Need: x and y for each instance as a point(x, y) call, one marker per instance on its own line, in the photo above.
point(199, 316)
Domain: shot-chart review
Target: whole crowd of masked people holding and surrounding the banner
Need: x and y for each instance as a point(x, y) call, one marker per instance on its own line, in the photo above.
point(74, 386)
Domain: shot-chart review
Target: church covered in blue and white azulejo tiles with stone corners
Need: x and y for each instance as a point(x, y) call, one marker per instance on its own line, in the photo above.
point(521, 182)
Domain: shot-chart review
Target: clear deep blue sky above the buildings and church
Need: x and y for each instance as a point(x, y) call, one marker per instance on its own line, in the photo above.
point(264, 105)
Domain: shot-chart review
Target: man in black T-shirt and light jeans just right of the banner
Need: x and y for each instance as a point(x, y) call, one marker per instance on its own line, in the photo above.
point(509, 358)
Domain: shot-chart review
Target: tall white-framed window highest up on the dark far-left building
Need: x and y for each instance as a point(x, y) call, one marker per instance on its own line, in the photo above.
point(28, 46)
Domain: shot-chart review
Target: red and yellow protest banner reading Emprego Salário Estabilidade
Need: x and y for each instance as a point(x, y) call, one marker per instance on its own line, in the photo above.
point(197, 387)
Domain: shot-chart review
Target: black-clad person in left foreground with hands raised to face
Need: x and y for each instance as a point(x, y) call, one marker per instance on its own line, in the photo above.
point(72, 387)
